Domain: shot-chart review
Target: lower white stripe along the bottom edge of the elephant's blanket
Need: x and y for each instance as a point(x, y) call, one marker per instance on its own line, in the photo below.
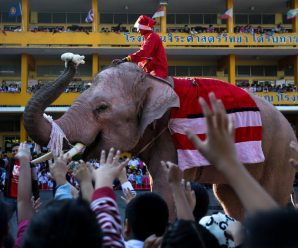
point(249, 152)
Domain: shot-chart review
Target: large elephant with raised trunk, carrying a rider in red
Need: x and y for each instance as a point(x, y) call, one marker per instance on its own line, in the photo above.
point(128, 109)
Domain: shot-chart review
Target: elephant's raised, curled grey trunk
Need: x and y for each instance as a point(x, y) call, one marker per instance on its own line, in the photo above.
point(38, 128)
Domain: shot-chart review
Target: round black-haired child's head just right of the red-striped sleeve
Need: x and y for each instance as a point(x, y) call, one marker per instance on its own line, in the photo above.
point(145, 215)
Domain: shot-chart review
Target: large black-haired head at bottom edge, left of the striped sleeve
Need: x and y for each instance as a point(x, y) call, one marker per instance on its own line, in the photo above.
point(64, 223)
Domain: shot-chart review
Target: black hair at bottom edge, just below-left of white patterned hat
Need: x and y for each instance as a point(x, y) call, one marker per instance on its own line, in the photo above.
point(187, 233)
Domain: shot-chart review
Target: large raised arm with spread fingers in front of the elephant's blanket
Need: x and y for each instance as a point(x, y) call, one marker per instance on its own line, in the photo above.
point(220, 150)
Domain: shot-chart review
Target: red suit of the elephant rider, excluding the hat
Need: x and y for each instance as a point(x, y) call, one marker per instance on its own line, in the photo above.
point(152, 47)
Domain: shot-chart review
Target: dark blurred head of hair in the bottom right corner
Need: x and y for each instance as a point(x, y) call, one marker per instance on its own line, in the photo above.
point(274, 229)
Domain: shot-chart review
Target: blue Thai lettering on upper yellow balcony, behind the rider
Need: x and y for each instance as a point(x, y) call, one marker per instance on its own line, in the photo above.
point(219, 39)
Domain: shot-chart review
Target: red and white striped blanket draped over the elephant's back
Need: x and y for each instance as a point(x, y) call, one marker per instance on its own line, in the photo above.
point(239, 105)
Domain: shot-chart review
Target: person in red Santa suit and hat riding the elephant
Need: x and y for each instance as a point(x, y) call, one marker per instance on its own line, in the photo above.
point(152, 56)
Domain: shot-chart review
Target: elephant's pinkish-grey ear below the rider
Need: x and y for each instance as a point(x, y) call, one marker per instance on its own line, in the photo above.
point(160, 97)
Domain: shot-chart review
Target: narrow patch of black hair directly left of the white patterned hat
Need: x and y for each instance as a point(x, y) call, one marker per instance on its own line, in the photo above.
point(202, 200)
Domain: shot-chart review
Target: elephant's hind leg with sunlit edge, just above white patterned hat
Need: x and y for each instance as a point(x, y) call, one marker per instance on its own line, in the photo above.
point(225, 194)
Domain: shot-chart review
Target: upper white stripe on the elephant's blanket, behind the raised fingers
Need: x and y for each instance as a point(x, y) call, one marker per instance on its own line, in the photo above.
point(198, 125)
